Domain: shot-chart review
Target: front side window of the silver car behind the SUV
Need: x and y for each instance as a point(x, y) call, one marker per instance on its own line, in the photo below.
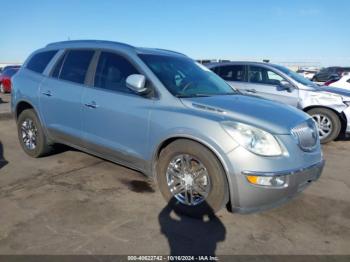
point(263, 75)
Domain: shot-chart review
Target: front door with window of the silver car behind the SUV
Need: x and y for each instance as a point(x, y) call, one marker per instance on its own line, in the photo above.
point(266, 83)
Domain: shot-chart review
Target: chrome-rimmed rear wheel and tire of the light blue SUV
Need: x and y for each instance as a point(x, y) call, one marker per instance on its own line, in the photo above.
point(31, 134)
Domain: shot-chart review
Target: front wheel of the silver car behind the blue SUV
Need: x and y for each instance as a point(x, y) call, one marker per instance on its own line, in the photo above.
point(328, 123)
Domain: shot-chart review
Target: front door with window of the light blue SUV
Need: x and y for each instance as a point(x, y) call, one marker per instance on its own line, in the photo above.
point(115, 119)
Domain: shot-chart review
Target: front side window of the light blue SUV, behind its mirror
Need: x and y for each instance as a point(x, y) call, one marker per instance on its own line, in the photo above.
point(112, 71)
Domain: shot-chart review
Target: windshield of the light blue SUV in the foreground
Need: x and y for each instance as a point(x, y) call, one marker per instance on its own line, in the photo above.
point(185, 78)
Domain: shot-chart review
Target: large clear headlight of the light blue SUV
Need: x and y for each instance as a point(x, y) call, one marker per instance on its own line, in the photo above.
point(254, 139)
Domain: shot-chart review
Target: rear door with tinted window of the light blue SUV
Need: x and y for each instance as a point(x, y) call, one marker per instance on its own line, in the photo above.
point(61, 94)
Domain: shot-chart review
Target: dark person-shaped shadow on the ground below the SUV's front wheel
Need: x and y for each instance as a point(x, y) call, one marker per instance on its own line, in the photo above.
point(191, 236)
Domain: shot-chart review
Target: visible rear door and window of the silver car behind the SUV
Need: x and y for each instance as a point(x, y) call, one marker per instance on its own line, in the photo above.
point(234, 75)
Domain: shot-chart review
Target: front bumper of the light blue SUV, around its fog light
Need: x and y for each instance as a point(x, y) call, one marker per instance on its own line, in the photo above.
point(256, 198)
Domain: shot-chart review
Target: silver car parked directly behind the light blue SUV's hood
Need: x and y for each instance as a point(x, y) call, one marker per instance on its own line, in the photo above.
point(329, 107)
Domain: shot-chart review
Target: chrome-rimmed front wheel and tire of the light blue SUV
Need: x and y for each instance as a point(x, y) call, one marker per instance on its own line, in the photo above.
point(191, 179)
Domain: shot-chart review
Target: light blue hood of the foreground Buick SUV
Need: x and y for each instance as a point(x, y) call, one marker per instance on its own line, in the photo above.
point(273, 117)
